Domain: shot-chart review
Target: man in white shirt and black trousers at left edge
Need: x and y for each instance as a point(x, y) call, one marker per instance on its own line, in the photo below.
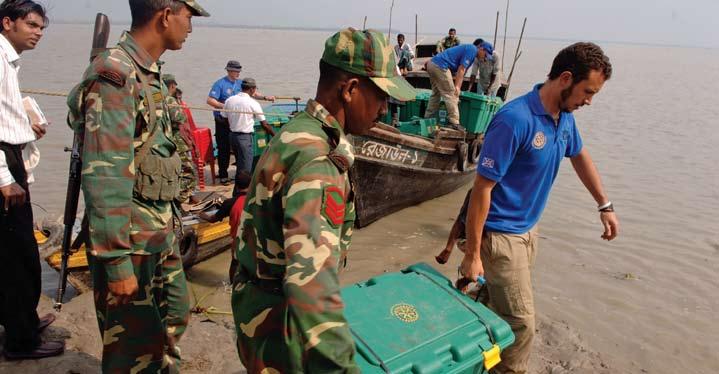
point(21, 28)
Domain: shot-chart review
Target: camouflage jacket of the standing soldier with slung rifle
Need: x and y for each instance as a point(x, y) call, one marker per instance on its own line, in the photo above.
point(110, 107)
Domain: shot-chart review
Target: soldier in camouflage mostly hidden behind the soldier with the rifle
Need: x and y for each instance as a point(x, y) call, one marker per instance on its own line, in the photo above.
point(183, 140)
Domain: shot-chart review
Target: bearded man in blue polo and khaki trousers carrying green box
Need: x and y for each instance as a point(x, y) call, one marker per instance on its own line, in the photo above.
point(523, 148)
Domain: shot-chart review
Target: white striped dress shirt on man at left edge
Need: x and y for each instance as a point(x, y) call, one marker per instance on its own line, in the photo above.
point(14, 124)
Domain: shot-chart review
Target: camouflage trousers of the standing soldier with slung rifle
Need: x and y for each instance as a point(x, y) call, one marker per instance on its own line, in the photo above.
point(141, 337)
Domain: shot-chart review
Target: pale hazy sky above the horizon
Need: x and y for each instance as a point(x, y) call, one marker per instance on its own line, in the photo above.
point(687, 22)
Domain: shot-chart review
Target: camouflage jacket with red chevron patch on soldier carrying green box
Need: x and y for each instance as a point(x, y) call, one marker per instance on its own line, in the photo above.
point(296, 228)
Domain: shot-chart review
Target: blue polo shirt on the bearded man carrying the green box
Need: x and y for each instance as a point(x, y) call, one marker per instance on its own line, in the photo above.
point(522, 150)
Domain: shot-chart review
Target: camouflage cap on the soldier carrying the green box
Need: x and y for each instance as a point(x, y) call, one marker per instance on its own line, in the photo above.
point(368, 54)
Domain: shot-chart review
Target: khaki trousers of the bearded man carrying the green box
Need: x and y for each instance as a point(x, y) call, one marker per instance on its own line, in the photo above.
point(508, 260)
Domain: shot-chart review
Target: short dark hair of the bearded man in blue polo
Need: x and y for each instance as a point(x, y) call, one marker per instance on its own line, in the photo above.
point(579, 59)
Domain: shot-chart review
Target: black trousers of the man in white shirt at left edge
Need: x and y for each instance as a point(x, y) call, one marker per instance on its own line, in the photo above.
point(19, 264)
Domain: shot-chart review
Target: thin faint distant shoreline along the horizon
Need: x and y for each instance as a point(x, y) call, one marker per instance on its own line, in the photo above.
point(332, 29)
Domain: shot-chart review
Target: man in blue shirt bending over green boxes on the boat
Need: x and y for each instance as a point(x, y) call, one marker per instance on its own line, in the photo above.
point(446, 73)
